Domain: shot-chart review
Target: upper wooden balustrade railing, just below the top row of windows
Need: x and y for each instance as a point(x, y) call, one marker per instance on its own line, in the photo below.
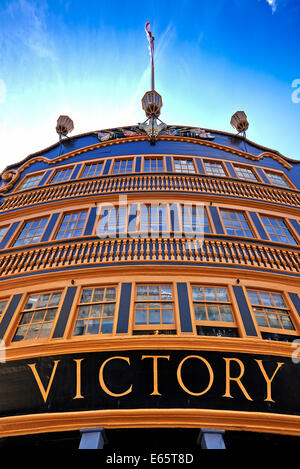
point(151, 183)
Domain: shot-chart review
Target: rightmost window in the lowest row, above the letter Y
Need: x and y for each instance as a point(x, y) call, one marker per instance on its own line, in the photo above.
point(271, 312)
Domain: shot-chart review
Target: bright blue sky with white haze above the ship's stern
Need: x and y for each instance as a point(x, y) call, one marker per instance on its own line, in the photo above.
point(90, 60)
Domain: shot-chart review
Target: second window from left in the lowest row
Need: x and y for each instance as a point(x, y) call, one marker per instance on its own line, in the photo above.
point(96, 311)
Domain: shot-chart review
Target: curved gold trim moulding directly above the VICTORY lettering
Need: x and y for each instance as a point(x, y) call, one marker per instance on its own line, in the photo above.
point(125, 343)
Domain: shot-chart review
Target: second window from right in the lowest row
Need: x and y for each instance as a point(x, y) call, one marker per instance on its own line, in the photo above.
point(213, 311)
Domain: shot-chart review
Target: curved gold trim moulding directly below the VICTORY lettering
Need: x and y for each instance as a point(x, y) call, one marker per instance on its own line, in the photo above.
point(151, 418)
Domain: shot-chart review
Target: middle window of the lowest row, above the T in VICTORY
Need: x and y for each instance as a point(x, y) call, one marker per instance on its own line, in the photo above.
point(154, 309)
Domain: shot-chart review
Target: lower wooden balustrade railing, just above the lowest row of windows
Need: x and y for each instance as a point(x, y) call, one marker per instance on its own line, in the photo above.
point(100, 252)
